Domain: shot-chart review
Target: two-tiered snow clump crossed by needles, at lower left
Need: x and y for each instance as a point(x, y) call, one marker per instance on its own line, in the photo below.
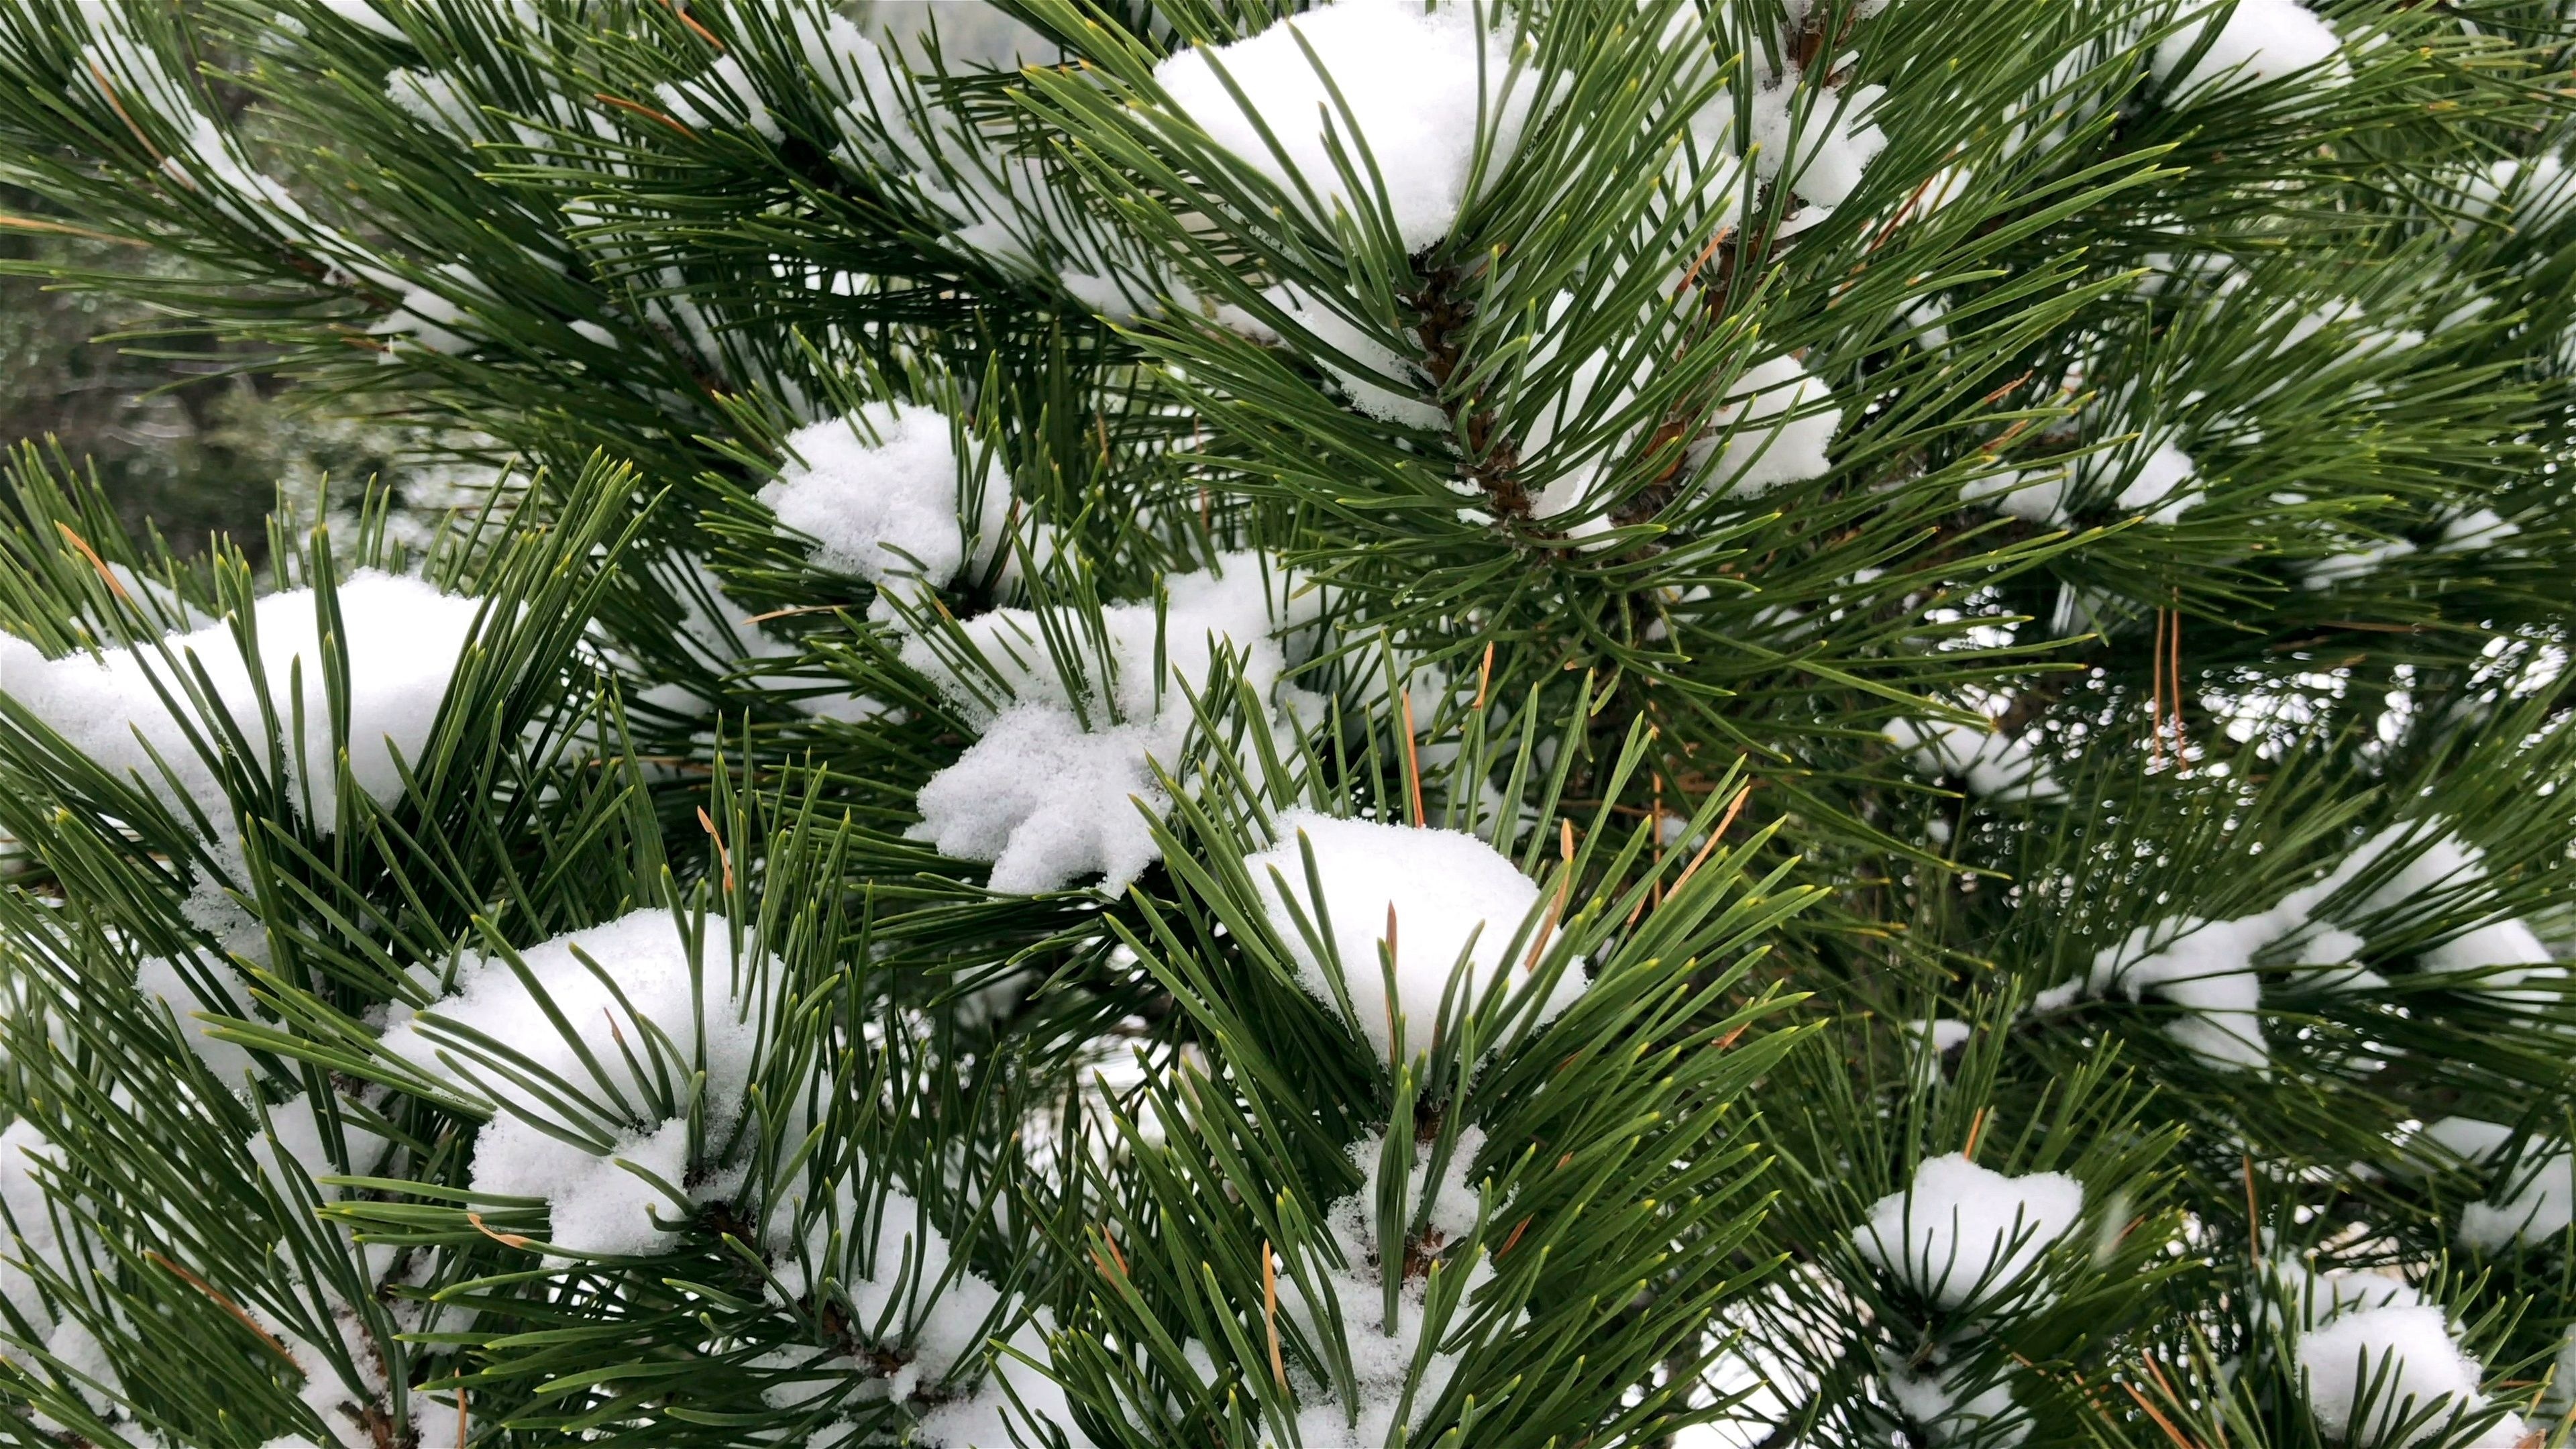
point(635, 981)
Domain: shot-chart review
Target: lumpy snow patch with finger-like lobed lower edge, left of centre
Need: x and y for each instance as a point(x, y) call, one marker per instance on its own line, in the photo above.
point(1050, 790)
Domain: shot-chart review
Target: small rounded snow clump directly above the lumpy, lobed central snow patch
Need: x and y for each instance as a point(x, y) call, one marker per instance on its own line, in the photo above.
point(882, 496)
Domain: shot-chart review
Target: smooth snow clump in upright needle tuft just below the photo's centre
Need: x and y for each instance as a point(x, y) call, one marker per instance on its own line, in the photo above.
point(1457, 909)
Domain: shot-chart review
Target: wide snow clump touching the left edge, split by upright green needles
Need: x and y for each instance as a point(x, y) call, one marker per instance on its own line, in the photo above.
point(403, 643)
